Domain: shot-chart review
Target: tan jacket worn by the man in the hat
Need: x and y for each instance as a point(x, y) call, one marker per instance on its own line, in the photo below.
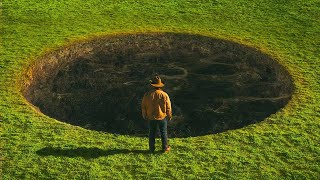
point(156, 105)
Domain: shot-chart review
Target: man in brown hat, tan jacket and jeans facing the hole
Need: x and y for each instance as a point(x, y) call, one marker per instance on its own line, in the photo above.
point(156, 108)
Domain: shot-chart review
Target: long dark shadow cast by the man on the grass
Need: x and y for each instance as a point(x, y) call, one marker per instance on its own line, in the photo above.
point(88, 152)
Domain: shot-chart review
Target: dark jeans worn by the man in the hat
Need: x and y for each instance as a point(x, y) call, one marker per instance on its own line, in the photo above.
point(153, 124)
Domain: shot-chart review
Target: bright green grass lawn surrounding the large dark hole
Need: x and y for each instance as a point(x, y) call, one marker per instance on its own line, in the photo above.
point(285, 145)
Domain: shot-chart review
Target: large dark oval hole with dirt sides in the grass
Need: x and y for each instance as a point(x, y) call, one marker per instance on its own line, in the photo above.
point(215, 85)
